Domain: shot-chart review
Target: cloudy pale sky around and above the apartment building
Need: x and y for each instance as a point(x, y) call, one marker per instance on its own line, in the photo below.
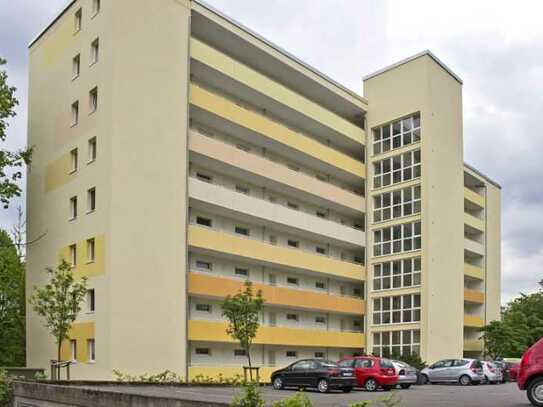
point(496, 47)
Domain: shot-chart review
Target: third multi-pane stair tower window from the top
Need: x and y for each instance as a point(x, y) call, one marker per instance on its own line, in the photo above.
point(395, 204)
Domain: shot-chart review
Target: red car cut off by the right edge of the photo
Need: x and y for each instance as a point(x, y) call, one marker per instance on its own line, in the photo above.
point(530, 374)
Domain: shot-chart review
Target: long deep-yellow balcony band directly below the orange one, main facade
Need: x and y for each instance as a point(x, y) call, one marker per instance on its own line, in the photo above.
point(207, 331)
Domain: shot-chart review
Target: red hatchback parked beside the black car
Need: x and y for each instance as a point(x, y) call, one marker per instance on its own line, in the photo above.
point(372, 372)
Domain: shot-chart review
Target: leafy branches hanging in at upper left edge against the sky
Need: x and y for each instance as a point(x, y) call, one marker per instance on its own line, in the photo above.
point(11, 162)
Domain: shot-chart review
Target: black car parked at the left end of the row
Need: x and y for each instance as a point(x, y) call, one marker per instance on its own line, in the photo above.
point(321, 374)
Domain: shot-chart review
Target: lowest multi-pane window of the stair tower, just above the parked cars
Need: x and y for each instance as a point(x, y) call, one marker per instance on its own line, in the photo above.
point(403, 342)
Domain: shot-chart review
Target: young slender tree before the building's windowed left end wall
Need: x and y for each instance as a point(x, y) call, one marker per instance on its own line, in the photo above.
point(59, 301)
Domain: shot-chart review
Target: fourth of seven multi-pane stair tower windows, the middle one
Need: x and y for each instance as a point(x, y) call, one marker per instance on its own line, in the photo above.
point(397, 239)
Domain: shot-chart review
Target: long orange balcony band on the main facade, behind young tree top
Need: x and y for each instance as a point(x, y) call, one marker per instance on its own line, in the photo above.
point(219, 287)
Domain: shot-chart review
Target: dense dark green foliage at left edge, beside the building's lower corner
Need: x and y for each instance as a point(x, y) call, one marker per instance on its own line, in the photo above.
point(12, 304)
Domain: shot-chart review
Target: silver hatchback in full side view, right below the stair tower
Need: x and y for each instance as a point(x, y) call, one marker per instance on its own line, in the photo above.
point(463, 371)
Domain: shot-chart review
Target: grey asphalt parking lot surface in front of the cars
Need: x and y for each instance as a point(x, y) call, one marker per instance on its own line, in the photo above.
point(506, 395)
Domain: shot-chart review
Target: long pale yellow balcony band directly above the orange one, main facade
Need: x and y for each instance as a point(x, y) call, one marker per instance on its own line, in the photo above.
point(216, 242)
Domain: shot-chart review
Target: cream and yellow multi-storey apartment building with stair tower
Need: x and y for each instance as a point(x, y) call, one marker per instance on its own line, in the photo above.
point(179, 154)
